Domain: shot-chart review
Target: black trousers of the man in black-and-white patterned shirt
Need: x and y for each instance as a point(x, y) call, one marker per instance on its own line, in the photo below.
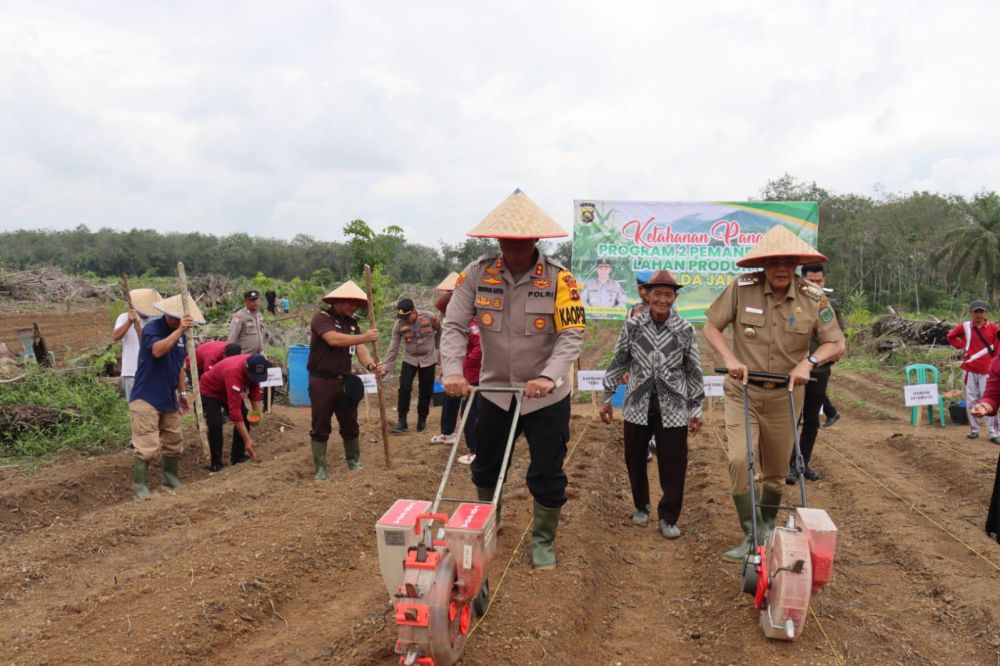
point(671, 464)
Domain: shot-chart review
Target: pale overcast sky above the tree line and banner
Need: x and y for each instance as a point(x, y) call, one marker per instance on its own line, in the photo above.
point(280, 118)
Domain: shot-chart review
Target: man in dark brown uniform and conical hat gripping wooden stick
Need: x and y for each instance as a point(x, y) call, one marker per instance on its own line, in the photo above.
point(333, 389)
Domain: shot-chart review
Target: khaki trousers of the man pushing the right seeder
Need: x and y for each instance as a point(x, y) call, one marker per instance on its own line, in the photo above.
point(771, 434)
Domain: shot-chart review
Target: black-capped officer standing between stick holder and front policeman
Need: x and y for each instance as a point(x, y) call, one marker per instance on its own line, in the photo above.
point(418, 334)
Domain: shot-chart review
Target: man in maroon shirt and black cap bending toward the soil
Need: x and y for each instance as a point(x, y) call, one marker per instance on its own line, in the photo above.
point(222, 389)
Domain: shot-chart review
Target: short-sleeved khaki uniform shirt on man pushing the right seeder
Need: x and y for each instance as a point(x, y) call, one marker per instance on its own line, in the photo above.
point(772, 335)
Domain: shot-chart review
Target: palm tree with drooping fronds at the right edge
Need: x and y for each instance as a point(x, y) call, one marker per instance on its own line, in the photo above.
point(974, 249)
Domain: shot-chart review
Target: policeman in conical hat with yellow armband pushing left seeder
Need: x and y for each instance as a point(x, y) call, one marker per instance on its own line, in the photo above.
point(531, 325)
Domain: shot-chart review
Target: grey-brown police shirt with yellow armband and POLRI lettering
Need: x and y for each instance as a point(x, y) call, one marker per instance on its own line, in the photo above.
point(528, 329)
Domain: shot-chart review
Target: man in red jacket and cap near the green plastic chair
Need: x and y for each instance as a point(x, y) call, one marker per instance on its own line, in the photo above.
point(978, 338)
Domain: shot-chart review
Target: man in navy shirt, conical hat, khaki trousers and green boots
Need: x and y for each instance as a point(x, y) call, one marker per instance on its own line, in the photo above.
point(158, 395)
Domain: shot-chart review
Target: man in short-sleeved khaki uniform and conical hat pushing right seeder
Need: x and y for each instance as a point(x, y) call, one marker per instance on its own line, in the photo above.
point(774, 314)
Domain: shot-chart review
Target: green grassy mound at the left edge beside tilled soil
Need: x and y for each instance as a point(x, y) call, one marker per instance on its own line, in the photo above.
point(47, 412)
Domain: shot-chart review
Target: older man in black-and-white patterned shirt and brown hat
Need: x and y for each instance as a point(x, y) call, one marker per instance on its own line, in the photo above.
point(659, 351)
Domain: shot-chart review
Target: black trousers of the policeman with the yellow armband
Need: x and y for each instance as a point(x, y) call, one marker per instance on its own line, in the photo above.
point(547, 432)
